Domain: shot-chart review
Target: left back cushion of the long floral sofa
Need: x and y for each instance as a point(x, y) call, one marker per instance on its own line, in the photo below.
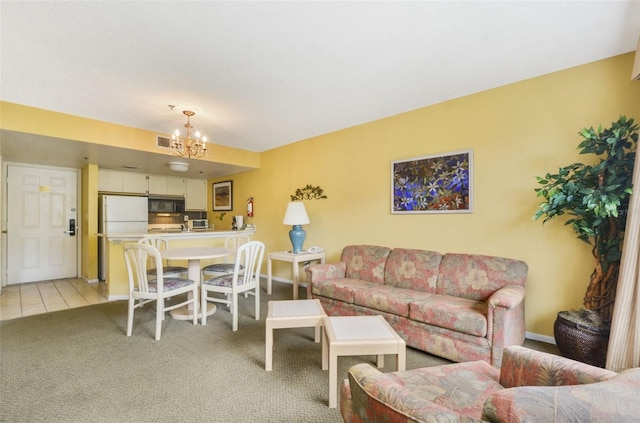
point(365, 262)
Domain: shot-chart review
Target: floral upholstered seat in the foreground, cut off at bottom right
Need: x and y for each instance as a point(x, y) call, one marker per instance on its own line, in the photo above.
point(531, 386)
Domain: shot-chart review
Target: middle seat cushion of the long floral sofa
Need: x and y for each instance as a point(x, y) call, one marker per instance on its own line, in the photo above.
point(385, 298)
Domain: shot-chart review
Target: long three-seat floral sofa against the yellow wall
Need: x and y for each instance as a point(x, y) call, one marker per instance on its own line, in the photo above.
point(462, 307)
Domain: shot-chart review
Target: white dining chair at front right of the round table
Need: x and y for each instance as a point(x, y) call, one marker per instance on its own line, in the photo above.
point(248, 256)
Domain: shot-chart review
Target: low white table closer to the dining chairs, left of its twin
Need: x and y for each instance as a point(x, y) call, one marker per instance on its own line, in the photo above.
point(291, 314)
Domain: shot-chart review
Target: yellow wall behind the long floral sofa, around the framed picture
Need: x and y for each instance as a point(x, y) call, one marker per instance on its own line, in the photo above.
point(516, 131)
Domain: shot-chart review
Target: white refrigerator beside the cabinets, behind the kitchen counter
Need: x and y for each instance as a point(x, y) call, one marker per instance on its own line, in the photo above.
point(119, 214)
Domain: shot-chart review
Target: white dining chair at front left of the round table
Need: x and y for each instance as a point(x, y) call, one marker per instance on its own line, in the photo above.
point(143, 289)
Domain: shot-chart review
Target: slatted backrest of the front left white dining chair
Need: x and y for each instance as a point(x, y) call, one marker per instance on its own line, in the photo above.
point(137, 257)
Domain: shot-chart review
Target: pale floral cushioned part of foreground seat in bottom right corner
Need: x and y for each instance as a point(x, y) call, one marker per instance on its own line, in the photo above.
point(615, 400)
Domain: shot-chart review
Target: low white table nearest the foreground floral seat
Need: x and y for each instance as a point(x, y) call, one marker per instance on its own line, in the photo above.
point(358, 335)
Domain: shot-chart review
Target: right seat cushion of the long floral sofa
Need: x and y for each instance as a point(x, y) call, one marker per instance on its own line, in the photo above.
point(459, 314)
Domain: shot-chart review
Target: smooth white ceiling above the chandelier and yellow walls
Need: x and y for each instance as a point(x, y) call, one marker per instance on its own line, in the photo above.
point(264, 74)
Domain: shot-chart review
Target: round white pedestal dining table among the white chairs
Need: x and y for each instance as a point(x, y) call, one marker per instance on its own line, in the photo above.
point(194, 255)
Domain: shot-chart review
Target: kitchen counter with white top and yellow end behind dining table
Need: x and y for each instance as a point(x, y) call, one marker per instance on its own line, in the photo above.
point(117, 280)
